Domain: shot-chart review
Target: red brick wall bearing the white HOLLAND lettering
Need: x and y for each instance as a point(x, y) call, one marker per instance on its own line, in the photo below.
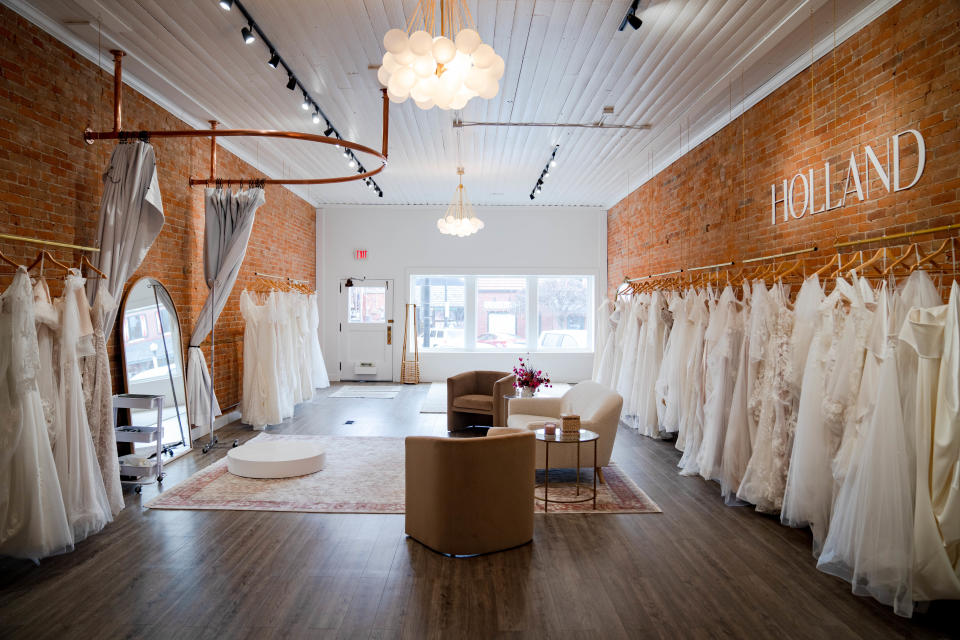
point(713, 204)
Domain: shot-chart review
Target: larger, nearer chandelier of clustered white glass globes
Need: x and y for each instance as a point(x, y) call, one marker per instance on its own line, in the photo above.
point(442, 68)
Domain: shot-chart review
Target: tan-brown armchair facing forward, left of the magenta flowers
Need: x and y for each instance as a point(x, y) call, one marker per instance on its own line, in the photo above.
point(476, 398)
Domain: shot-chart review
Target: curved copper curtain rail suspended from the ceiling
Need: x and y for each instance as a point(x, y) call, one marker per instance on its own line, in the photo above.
point(90, 136)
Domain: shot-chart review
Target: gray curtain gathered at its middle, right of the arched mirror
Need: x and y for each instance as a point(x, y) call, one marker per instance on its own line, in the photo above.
point(229, 221)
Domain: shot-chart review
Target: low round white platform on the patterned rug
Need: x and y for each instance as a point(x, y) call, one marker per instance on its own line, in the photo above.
point(275, 459)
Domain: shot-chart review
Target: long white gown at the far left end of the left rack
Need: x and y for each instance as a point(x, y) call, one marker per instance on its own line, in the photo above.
point(33, 519)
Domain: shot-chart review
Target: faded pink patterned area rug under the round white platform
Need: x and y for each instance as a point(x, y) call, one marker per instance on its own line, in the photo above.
point(365, 475)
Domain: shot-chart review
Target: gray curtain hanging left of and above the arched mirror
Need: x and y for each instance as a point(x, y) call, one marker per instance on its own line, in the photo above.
point(131, 216)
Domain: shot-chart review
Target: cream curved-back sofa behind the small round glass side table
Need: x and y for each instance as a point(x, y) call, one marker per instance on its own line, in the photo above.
point(599, 410)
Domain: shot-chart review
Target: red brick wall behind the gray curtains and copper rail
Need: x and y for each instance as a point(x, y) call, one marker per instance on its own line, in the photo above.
point(50, 186)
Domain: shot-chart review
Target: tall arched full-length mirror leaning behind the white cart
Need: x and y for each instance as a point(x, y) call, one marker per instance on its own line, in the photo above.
point(153, 361)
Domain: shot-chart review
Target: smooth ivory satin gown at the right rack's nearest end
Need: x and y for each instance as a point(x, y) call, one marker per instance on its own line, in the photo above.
point(936, 575)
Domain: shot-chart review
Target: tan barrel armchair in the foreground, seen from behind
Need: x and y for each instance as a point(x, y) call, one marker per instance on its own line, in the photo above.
point(467, 496)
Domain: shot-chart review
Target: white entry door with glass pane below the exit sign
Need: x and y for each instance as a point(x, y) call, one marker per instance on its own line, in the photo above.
point(366, 330)
